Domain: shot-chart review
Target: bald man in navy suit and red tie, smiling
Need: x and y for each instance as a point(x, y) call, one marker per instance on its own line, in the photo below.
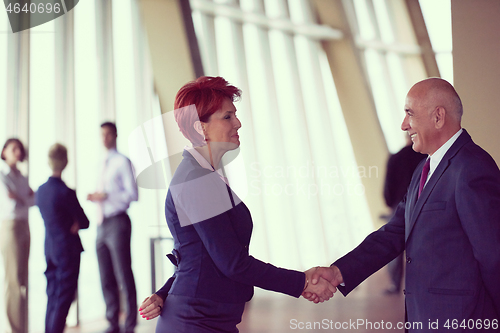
point(448, 223)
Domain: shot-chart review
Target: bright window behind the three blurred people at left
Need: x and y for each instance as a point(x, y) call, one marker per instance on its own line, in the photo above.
point(66, 105)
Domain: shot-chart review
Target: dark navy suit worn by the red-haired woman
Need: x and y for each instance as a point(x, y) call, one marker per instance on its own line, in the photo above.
point(215, 275)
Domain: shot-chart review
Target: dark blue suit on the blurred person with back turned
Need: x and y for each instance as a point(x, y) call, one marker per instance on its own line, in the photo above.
point(59, 207)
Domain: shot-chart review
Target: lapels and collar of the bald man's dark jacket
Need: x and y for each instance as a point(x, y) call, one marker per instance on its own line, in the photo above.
point(415, 204)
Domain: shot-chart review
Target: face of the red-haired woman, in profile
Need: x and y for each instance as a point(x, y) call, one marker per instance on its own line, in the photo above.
point(222, 126)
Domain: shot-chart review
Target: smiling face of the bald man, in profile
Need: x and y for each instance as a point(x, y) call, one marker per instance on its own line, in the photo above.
point(419, 122)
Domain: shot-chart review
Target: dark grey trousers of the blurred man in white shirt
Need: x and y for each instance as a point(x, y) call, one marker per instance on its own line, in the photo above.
point(115, 268)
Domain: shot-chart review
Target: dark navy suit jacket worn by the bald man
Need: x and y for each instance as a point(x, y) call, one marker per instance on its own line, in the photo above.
point(452, 239)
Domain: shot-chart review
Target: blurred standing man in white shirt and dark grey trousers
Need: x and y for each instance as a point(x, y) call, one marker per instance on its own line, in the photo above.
point(117, 189)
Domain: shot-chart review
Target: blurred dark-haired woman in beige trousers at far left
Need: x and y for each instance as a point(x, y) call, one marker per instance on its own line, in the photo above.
point(16, 197)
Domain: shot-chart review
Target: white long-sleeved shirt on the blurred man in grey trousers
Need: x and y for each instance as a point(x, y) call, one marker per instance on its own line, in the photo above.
point(118, 182)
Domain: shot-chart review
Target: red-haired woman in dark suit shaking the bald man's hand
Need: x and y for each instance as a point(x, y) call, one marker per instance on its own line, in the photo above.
point(211, 226)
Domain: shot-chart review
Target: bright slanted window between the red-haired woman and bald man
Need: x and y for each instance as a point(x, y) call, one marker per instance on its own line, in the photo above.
point(294, 143)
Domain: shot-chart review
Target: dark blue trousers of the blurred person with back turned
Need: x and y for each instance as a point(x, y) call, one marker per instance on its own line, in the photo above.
point(62, 281)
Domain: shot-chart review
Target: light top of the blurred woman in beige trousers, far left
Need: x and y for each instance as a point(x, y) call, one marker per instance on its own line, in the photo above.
point(14, 181)
